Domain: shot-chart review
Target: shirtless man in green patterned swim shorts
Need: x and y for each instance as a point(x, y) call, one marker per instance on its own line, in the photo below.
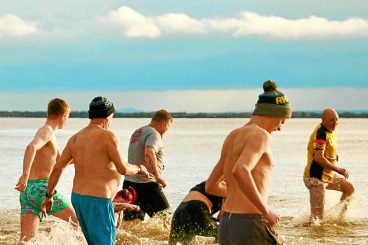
point(39, 158)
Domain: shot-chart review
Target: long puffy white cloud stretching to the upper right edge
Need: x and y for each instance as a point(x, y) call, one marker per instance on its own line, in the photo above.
point(135, 24)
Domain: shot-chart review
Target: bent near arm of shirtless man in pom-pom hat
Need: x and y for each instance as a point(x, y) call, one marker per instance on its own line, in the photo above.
point(242, 172)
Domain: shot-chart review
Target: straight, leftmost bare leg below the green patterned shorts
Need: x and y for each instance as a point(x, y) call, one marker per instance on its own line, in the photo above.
point(28, 227)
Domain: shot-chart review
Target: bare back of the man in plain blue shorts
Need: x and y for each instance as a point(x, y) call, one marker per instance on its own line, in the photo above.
point(95, 173)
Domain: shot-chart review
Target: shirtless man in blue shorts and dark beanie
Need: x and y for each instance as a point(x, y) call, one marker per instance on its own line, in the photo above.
point(98, 168)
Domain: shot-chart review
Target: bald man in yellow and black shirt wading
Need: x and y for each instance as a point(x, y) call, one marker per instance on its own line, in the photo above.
point(322, 158)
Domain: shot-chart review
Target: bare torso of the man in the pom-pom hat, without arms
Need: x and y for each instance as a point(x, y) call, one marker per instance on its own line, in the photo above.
point(236, 143)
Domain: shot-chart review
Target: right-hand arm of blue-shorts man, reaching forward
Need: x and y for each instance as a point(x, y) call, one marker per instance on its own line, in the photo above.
point(124, 168)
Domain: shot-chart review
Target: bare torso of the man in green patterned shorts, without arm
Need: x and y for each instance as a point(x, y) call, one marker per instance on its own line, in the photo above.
point(45, 157)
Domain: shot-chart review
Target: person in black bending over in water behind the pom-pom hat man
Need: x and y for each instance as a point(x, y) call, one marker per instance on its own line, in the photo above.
point(194, 215)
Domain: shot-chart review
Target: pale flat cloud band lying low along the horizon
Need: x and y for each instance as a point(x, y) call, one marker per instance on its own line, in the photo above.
point(240, 100)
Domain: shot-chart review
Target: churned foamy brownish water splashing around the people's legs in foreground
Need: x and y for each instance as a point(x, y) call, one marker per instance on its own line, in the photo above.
point(291, 229)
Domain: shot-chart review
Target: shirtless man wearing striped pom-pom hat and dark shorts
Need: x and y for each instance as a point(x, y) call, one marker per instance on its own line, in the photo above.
point(246, 164)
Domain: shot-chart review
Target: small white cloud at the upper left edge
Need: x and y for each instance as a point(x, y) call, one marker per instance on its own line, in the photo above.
point(11, 25)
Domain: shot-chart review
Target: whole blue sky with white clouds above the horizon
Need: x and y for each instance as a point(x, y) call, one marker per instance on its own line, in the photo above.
point(183, 56)
